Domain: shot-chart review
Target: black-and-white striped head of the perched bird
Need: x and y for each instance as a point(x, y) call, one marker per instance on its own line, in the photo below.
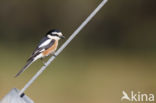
point(55, 34)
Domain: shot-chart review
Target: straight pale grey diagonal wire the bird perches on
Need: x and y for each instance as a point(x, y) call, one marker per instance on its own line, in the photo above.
point(63, 46)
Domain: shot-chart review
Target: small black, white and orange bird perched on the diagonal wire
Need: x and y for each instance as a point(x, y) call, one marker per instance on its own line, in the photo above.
point(47, 45)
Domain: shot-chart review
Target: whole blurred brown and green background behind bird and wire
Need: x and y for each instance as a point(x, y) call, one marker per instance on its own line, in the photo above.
point(114, 52)
